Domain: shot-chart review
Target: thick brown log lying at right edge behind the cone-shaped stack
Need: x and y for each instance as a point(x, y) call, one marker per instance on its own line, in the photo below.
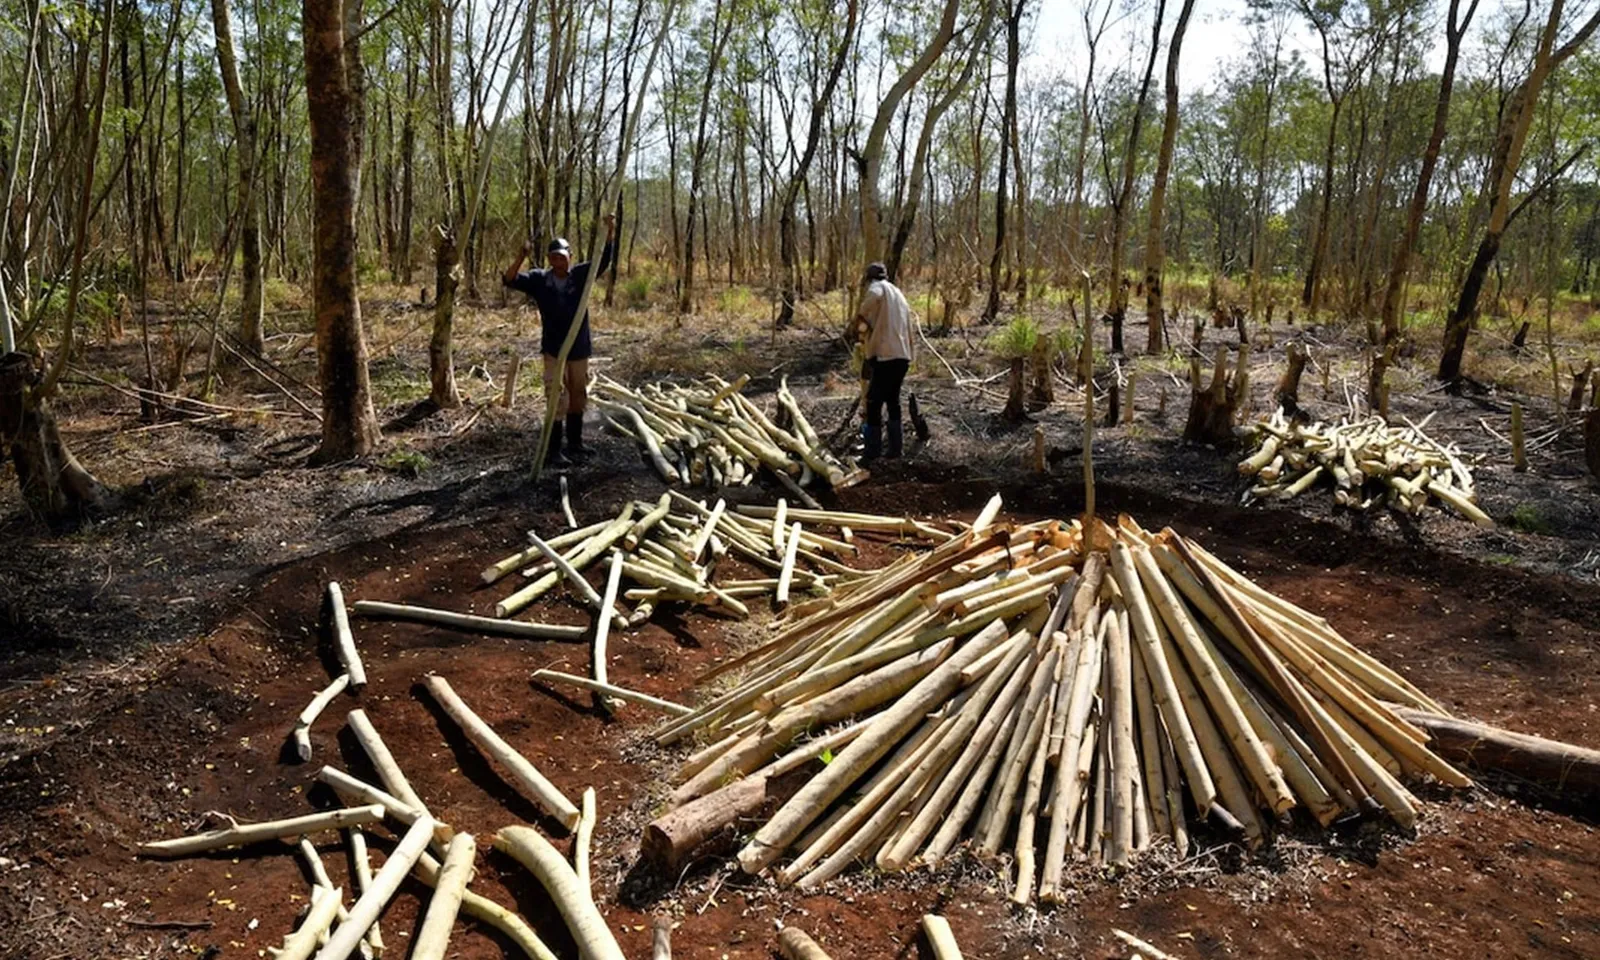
point(1562, 769)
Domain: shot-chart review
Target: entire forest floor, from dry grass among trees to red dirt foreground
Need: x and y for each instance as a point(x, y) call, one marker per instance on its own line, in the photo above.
point(156, 657)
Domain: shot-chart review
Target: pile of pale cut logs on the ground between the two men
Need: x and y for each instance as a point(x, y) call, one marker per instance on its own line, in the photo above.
point(708, 433)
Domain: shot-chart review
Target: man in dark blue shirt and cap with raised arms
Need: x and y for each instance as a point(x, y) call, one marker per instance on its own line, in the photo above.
point(556, 292)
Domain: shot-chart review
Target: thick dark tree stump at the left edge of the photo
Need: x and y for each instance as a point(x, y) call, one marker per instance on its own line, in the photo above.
point(54, 482)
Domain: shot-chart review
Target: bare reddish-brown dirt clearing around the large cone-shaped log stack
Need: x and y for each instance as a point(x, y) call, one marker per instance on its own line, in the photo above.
point(1487, 874)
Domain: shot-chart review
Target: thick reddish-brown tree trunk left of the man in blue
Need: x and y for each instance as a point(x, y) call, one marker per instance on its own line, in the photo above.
point(350, 426)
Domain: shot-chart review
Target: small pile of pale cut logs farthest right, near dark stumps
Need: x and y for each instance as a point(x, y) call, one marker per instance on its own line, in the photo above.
point(1369, 463)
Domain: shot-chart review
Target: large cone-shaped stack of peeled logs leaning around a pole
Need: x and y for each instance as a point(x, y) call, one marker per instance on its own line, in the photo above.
point(1049, 692)
